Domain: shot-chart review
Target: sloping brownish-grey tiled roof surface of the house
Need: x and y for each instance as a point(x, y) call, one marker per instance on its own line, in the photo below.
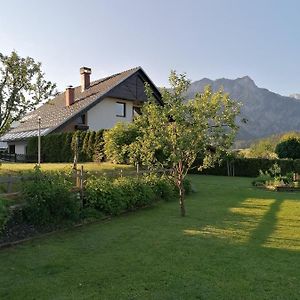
point(55, 113)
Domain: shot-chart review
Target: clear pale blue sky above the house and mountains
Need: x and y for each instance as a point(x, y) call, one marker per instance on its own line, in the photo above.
point(203, 38)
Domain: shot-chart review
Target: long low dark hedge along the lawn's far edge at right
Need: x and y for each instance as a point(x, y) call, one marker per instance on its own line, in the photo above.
point(249, 167)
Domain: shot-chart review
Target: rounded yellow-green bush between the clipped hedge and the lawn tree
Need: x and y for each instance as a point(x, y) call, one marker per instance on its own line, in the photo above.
point(117, 142)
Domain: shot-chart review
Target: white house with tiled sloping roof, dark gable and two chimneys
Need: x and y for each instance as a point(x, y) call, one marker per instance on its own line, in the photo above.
point(91, 106)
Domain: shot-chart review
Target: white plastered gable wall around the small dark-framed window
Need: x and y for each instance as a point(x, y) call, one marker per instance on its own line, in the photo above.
point(103, 115)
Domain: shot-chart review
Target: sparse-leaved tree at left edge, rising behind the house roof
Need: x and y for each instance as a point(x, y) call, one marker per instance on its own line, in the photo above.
point(22, 87)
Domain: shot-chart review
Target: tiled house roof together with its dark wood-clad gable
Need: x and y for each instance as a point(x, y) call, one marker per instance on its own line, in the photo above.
point(55, 114)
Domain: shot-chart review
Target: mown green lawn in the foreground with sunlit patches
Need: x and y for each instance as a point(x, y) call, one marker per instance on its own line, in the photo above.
point(236, 242)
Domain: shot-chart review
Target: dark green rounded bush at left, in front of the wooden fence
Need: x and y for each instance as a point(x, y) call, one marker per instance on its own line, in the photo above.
point(49, 199)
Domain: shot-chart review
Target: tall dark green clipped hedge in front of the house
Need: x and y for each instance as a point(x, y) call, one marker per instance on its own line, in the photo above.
point(58, 147)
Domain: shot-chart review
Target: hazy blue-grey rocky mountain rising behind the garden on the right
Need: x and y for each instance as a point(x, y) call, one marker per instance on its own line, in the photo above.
point(267, 113)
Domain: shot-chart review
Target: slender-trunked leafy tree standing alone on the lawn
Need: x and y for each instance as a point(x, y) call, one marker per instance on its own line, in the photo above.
point(174, 135)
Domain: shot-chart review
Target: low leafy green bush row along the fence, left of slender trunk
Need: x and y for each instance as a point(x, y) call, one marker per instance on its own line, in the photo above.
point(114, 196)
